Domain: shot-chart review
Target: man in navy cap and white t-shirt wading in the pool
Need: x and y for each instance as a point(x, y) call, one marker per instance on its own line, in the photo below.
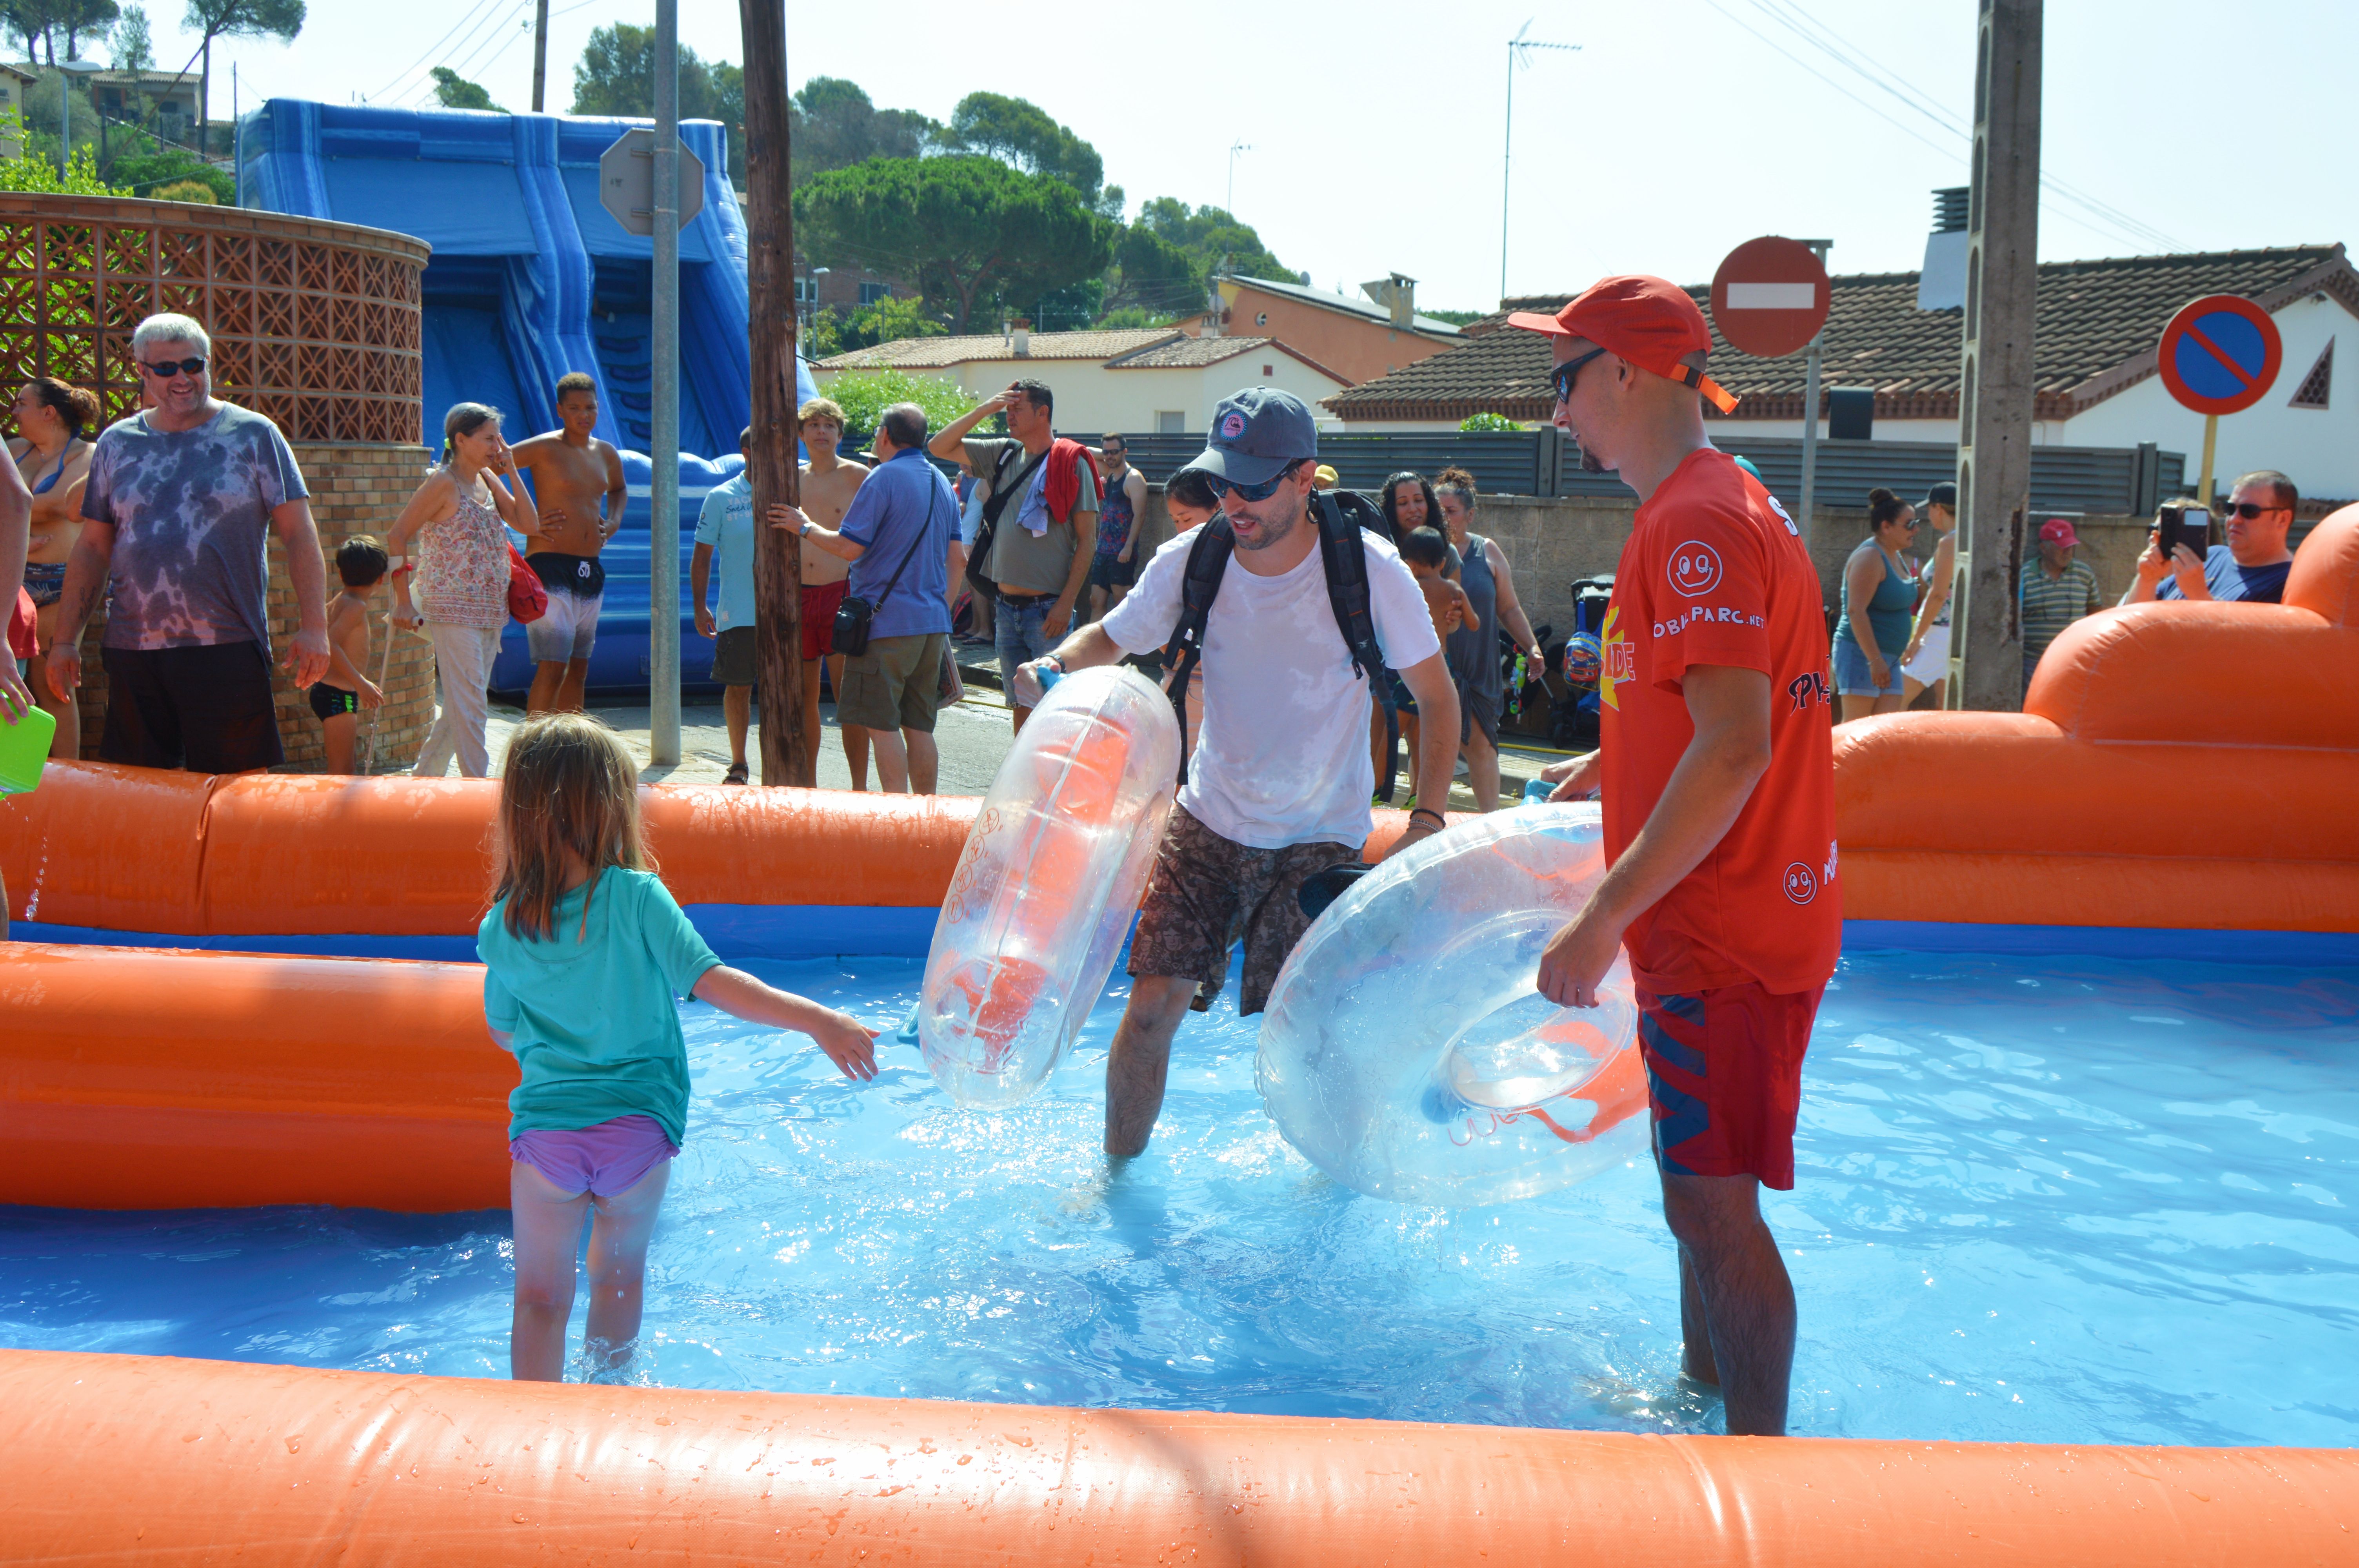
point(1282, 779)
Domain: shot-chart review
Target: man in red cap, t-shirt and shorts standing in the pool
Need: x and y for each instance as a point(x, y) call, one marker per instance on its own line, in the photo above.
point(1719, 782)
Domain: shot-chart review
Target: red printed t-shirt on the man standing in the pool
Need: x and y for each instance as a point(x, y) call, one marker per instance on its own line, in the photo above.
point(1716, 574)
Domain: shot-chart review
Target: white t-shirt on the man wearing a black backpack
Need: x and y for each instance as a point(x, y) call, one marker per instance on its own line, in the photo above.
point(1284, 746)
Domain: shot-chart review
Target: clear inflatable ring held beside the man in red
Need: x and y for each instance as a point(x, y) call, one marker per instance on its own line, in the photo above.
point(1407, 1050)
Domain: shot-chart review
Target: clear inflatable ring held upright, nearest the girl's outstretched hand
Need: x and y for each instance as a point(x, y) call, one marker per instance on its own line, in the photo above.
point(1046, 888)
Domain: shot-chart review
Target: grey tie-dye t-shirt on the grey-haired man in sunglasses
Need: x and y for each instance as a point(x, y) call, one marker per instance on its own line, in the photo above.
point(192, 510)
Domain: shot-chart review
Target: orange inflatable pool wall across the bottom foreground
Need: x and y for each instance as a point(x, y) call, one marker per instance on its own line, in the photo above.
point(150, 1461)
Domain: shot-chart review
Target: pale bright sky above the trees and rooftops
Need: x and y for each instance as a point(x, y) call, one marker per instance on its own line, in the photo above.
point(1676, 133)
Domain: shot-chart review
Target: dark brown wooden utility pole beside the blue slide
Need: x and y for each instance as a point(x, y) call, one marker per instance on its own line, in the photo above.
point(770, 296)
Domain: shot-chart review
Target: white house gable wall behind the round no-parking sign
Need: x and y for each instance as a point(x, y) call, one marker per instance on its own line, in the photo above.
point(2318, 449)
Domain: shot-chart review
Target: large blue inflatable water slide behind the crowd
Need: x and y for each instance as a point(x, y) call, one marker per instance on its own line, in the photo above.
point(530, 282)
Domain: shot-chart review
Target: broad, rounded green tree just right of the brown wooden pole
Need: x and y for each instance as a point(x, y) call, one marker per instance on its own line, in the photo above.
point(966, 230)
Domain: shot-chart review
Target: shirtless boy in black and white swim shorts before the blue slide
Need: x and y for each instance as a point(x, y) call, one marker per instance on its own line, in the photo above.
point(579, 492)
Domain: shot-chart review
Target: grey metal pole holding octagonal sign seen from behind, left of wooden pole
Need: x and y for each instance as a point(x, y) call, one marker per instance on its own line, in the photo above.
point(664, 494)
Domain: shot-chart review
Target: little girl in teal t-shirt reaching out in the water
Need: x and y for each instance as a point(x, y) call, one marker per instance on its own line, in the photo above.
point(584, 956)
